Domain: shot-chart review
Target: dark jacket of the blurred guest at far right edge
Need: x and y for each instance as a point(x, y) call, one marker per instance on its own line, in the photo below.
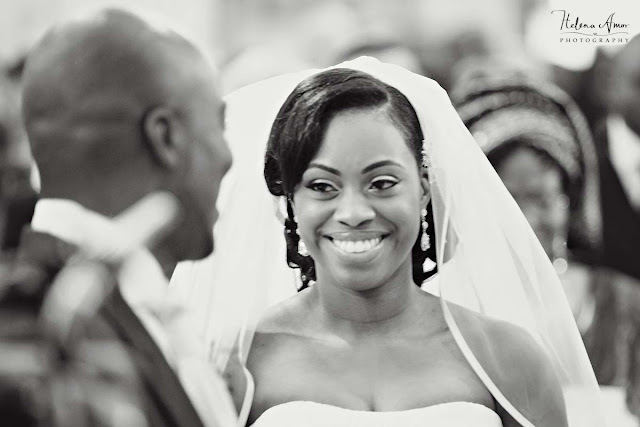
point(620, 222)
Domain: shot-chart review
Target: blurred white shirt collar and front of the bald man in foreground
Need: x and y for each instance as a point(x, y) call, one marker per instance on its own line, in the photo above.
point(144, 287)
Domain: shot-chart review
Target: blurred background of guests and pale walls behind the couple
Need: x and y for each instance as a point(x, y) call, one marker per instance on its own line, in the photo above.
point(586, 90)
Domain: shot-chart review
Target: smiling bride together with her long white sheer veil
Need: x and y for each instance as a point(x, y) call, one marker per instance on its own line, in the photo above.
point(375, 173)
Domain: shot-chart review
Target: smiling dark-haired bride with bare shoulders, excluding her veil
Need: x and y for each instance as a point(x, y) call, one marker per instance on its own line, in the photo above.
point(346, 152)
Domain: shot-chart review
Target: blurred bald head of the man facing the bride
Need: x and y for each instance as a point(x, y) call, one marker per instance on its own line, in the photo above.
point(116, 108)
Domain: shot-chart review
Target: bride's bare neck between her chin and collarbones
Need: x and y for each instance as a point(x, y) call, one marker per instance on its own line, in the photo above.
point(383, 308)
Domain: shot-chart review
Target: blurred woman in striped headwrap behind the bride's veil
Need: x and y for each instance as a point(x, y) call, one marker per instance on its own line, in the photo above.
point(540, 145)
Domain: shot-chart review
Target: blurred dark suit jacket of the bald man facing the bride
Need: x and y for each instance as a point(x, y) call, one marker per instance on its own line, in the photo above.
point(142, 378)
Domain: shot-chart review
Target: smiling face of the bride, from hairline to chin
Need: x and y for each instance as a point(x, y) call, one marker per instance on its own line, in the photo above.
point(358, 203)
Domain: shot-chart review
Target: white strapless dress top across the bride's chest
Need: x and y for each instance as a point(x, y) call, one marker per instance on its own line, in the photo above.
point(312, 414)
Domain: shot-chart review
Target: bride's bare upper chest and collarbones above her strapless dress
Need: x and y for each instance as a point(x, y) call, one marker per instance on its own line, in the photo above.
point(294, 358)
